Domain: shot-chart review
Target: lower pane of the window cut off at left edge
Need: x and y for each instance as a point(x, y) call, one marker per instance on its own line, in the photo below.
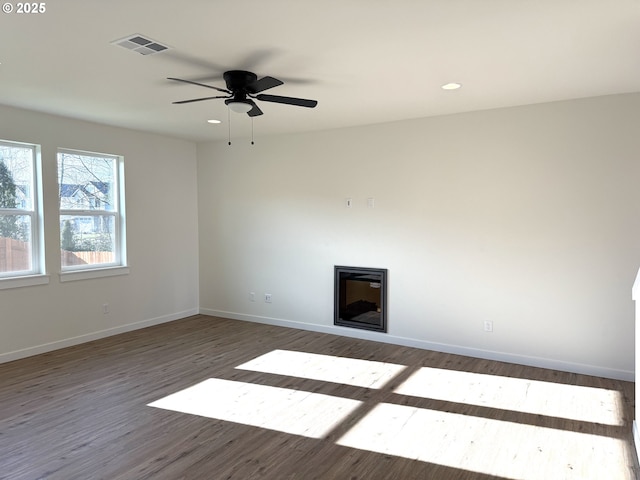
point(15, 243)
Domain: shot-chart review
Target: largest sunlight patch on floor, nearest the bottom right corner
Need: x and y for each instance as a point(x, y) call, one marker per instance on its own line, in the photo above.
point(493, 447)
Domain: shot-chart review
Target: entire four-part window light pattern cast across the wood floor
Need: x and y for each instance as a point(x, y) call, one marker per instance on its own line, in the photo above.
point(477, 443)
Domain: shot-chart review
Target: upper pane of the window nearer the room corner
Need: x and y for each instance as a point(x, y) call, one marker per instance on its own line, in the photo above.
point(86, 182)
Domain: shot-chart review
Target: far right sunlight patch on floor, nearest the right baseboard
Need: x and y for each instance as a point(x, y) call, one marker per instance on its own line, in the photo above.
point(572, 402)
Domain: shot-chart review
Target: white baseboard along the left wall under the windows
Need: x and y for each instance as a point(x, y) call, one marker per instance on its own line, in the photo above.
point(89, 337)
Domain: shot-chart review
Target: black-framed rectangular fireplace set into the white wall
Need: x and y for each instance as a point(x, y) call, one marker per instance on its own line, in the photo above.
point(360, 298)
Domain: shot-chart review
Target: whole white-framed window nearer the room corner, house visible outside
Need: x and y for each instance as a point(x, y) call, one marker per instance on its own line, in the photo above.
point(92, 227)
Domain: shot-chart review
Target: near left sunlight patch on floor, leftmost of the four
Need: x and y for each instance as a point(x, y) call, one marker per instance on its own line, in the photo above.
point(296, 412)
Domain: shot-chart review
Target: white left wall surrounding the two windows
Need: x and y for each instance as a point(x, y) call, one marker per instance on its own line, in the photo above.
point(161, 208)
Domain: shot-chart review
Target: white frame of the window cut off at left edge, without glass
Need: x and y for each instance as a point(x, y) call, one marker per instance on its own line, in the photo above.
point(36, 275)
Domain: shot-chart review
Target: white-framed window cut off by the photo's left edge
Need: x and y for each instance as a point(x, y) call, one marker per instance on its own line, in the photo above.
point(21, 252)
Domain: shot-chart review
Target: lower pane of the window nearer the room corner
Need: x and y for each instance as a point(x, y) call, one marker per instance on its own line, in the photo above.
point(87, 240)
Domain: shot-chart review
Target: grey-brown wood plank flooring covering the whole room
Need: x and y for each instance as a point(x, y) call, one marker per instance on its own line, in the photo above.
point(82, 413)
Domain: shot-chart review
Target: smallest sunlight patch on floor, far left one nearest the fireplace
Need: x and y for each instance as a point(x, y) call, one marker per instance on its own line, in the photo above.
point(328, 368)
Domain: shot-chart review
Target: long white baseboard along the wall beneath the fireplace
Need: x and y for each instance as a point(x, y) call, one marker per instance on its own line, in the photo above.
point(549, 363)
